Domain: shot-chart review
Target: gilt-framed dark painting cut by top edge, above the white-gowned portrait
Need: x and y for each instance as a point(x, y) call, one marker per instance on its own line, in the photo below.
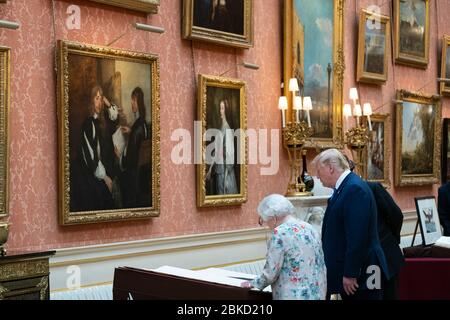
point(224, 22)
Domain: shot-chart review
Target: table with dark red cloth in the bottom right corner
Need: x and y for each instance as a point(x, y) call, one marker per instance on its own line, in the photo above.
point(426, 274)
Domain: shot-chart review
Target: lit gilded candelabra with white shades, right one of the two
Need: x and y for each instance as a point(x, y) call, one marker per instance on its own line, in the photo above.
point(357, 137)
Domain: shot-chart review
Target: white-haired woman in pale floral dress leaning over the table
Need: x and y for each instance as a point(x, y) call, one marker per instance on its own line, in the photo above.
point(295, 266)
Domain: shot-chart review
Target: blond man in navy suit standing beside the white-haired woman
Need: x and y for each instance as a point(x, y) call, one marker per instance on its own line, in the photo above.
point(354, 258)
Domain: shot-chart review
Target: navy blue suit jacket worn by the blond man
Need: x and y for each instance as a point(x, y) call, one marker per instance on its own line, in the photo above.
point(350, 236)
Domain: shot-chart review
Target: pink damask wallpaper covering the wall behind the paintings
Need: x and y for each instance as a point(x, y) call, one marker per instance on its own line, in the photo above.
point(33, 120)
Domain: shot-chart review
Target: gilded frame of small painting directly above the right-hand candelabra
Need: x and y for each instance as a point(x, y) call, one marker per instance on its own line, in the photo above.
point(366, 76)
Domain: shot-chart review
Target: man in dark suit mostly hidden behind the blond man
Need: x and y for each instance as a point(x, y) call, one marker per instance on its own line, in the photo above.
point(390, 220)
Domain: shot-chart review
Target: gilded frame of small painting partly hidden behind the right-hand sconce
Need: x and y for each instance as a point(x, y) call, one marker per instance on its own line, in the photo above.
point(381, 118)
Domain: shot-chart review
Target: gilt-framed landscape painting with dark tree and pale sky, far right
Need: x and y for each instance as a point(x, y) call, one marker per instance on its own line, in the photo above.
point(417, 139)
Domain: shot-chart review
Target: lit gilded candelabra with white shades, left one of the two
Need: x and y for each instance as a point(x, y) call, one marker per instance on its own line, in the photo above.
point(295, 135)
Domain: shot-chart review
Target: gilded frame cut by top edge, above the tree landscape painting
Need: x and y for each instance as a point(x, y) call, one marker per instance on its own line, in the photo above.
point(407, 58)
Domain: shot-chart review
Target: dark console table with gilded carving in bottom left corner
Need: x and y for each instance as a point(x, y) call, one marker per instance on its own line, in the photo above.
point(25, 275)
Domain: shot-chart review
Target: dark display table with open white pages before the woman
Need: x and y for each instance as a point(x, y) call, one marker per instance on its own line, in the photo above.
point(169, 282)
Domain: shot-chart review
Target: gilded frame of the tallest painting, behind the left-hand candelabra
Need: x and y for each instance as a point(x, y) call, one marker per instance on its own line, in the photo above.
point(338, 73)
